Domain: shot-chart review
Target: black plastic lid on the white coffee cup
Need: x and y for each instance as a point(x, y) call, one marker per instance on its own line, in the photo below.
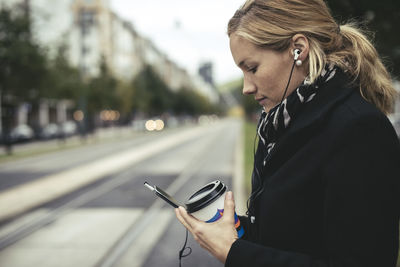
point(205, 196)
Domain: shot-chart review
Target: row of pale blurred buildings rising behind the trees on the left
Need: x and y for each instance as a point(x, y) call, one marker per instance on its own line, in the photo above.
point(92, 33)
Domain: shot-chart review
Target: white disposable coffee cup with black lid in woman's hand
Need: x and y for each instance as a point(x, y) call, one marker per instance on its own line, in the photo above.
point(207, 204)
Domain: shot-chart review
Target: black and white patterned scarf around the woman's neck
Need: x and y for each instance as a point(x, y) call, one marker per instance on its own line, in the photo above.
point(273, 123)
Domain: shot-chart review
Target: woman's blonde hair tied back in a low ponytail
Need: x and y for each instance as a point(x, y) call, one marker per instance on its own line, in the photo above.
point(272, 24)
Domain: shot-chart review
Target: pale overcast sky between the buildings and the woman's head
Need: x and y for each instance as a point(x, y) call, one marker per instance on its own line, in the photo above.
point(188, 31)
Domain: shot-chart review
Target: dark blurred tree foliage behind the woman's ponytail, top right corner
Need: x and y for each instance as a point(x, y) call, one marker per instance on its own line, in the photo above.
point(380, 17)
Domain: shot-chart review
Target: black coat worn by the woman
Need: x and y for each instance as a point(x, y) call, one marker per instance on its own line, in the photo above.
point(331, 189)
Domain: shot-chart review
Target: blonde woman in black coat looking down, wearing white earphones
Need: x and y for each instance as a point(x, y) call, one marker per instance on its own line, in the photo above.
point(325, 185)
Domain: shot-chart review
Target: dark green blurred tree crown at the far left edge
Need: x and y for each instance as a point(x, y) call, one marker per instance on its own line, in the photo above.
point(23, 63)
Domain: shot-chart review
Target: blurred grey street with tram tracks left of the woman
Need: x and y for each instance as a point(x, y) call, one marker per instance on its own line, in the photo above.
point(87, 206)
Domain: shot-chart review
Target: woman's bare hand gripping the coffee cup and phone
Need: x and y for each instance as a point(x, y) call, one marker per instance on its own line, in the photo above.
point(217, 237)
